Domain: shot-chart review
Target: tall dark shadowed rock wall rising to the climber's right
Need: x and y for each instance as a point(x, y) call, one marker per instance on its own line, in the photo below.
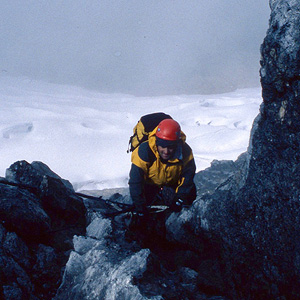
point(256, 214)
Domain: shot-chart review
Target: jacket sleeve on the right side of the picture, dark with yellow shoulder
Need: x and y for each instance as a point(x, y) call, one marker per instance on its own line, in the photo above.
point(186, 189)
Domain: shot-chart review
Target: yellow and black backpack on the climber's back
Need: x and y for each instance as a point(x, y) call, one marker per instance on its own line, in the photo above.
point(144, 126)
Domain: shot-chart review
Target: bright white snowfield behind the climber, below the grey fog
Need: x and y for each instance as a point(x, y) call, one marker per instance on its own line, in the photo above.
point(82, 135)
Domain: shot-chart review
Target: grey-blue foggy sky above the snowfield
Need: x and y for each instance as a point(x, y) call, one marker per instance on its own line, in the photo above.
point(140, 47)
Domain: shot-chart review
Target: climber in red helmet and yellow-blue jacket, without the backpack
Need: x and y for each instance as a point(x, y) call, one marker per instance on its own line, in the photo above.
point(163, 170)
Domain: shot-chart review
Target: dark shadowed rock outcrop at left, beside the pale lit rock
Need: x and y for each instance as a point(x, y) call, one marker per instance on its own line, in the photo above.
point(40, 214)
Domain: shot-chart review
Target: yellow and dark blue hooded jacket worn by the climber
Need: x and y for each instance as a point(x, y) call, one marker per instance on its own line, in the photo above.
point(148, 168)
